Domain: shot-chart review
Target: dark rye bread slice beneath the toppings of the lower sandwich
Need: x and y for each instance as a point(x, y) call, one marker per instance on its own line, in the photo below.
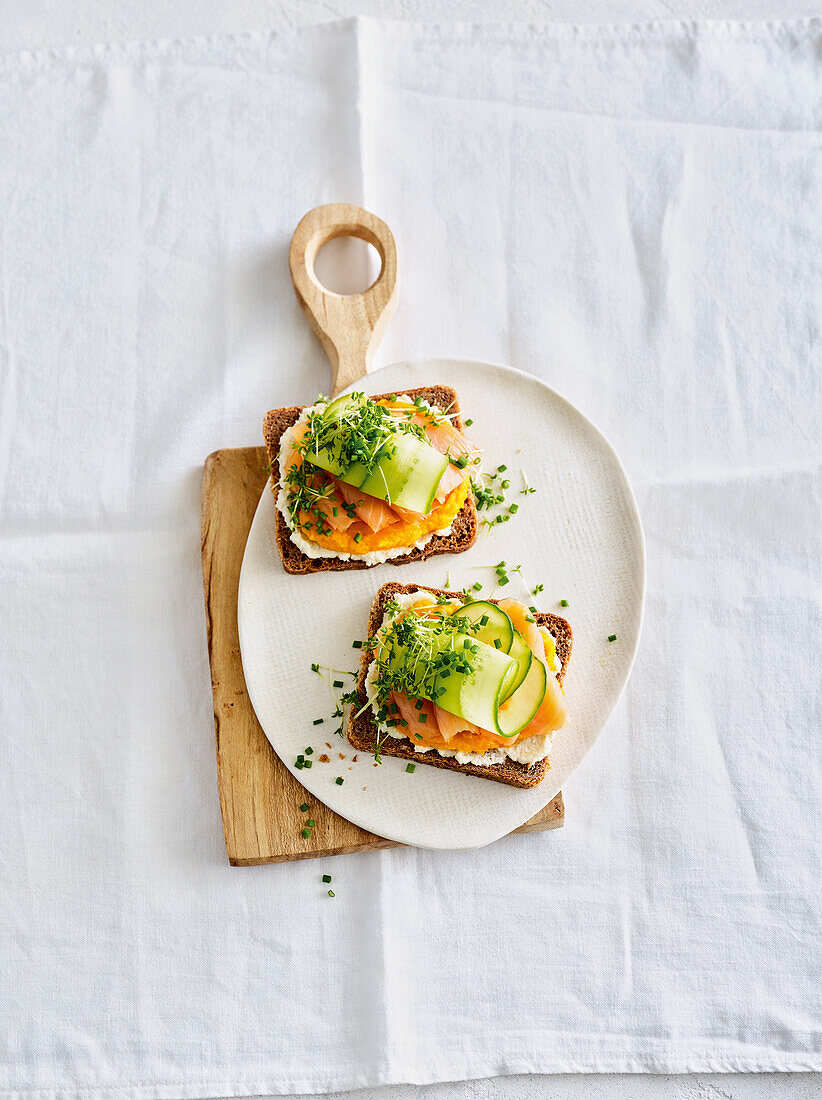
point(363, 731)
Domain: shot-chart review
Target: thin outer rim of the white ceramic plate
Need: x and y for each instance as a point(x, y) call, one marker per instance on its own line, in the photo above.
point(631, 497)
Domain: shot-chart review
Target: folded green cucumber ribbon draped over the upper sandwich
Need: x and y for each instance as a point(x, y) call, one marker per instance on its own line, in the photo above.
point(408, 474)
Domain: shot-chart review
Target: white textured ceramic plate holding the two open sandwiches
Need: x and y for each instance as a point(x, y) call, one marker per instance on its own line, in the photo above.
point(579, 535)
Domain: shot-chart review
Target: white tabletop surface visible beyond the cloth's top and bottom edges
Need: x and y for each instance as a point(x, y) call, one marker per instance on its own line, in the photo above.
point(30, 25)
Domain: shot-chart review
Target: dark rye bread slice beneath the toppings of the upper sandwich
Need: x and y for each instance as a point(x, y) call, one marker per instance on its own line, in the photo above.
point(464, 529)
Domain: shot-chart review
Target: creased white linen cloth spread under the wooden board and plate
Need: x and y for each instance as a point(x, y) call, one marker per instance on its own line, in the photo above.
point(633, 214)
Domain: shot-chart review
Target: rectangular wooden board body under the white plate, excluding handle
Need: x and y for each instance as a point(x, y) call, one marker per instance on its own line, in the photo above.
point(259, 797)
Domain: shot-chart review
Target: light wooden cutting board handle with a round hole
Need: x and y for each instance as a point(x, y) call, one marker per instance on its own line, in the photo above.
point(349, 326)
